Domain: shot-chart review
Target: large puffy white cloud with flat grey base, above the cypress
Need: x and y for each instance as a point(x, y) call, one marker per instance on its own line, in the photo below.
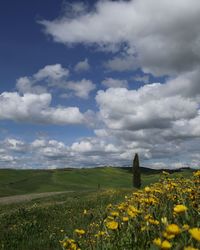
point(133, 109)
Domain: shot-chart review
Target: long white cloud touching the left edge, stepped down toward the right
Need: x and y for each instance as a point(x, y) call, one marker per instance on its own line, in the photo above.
point(35, 108)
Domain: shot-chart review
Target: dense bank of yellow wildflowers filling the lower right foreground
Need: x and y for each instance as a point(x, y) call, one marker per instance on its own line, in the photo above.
point(164, 215)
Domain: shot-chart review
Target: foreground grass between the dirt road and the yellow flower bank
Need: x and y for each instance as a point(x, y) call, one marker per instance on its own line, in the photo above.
point(37, 225)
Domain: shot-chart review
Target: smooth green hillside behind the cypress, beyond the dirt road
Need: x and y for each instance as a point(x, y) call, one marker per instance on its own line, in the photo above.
point(14, 182)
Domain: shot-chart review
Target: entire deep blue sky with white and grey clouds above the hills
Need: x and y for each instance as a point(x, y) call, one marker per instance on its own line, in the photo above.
point(87, 83)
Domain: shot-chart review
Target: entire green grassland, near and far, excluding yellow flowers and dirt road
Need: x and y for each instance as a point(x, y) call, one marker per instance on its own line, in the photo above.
point(41, 223)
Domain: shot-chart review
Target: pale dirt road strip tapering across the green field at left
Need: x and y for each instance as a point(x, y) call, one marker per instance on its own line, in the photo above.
point(27, 197)
